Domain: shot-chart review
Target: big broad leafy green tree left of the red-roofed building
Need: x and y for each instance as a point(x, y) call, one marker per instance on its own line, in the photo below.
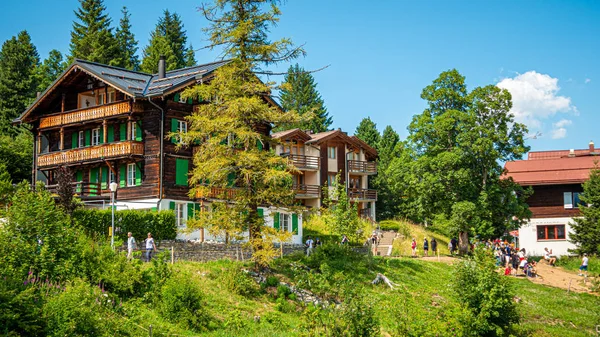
point(457, 145)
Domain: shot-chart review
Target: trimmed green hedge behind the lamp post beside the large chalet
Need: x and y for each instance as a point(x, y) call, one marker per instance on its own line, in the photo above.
point(139, 222)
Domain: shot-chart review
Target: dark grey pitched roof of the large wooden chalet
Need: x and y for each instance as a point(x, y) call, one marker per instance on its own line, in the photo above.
point(134, 83)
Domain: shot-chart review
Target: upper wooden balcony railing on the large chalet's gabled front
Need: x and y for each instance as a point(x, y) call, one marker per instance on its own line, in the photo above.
point(81, 115)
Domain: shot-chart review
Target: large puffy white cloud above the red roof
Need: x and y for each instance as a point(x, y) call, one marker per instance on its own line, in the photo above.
point(535, 99)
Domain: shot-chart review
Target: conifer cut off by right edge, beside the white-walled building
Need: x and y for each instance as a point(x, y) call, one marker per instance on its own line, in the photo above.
point(586, 229)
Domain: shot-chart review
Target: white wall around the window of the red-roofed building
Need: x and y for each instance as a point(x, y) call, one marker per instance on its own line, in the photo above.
point(528, 237)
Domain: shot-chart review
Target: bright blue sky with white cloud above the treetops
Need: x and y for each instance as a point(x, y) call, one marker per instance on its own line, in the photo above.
point(382, 53)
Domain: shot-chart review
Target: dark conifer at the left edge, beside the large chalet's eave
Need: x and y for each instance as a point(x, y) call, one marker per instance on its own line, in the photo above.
point(18, 81)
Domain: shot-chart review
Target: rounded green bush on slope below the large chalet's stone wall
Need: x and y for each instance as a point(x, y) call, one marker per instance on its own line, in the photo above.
point(181, 302)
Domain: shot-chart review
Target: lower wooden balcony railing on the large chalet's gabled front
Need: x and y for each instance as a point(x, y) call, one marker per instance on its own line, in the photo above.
point(104, 151)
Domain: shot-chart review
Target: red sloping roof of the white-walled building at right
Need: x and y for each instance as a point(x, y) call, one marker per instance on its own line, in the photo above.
point(554, 171)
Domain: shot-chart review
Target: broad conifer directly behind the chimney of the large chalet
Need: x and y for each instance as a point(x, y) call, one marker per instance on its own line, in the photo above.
point(168, 39)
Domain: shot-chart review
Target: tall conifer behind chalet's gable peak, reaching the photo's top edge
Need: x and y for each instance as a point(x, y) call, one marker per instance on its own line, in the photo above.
point(92, 38)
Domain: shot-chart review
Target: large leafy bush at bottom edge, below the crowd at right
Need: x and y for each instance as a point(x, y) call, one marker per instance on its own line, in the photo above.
point(486, 295)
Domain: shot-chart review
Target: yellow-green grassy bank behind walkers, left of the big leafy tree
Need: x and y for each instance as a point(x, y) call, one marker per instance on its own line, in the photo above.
point(407, 231)
